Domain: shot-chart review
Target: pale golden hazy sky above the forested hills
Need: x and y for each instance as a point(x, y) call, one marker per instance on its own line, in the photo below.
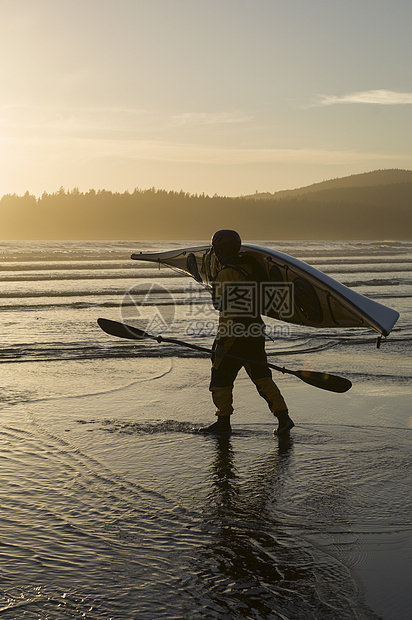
point(223, 97)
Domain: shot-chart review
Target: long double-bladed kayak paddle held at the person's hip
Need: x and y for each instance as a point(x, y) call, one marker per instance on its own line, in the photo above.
point(322, 380)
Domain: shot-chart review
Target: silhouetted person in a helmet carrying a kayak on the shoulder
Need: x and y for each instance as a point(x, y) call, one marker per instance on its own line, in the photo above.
point(240, 334)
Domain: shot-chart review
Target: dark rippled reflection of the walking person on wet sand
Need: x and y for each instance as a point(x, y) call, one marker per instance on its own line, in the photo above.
point(252, 567)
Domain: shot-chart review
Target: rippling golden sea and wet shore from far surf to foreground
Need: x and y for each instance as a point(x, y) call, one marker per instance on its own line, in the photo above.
point(113, 506)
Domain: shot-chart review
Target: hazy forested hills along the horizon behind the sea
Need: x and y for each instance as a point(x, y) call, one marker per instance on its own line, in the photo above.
point(376, 205)
